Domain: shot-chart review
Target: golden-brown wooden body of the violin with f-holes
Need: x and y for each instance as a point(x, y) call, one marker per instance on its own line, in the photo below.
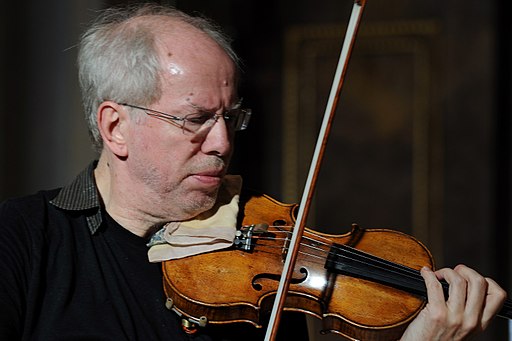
point(239, 285)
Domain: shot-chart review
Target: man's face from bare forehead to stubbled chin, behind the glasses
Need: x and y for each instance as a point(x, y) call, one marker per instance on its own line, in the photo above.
point(181, 173)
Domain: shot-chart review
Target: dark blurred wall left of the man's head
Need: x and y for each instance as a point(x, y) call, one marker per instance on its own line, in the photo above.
point(44, 141)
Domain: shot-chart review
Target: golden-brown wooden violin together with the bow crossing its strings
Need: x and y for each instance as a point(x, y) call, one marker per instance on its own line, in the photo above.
point(365, 284)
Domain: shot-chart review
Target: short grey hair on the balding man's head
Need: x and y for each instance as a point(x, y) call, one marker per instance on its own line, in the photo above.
point(117, 59)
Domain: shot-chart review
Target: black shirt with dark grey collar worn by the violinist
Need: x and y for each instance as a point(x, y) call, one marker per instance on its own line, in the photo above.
point(70, 272)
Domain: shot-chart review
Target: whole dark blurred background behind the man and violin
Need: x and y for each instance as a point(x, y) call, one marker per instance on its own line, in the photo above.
point(421, 142)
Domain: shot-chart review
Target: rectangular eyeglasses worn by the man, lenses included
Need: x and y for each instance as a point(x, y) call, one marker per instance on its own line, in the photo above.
point(236, 119)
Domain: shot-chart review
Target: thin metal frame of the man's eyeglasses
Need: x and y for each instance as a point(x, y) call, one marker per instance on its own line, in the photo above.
point(241, 120)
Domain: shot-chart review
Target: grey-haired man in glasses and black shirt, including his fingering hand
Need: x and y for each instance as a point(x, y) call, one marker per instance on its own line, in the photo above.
point(160, 97)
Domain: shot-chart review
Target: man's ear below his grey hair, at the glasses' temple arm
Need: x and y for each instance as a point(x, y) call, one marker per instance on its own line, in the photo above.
point(113, 122)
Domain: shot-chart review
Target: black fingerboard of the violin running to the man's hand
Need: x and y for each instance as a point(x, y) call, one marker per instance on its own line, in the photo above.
point(349, 261)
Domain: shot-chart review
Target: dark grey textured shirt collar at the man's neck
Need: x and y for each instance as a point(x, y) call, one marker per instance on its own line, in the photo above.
point(82, 195)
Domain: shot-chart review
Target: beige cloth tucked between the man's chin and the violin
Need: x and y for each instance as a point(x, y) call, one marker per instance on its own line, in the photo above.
point(212, 230)
